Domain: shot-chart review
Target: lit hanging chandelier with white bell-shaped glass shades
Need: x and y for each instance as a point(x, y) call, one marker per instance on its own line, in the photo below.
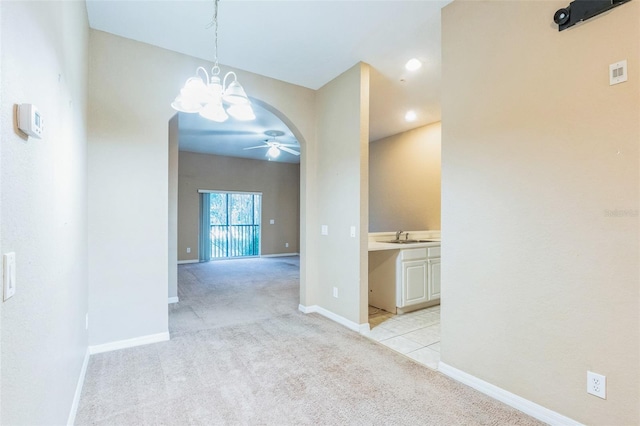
point(212, 97)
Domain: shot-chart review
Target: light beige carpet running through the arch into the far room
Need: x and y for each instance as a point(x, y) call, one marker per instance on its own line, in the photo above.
point(242, 354)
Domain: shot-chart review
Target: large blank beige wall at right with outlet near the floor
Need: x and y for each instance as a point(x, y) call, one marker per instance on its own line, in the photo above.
point(540, 278)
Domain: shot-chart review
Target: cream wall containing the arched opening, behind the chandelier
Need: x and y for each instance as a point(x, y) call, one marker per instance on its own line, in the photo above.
point(131, 87)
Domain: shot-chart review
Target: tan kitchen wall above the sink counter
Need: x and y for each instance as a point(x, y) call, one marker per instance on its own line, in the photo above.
point(404, 181)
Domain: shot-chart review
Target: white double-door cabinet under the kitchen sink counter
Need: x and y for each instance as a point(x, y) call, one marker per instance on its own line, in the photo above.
point(418, 276)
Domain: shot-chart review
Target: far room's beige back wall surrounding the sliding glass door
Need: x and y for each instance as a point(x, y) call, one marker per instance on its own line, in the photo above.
point(279, 184)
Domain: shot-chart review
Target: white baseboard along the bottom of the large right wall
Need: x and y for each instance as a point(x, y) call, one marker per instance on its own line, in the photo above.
point(528, 407)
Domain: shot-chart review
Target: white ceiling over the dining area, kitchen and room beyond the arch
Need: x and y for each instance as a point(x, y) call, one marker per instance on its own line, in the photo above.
point(303, 42)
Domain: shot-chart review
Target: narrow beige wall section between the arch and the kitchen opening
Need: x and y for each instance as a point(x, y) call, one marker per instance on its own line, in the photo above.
point(342, 177)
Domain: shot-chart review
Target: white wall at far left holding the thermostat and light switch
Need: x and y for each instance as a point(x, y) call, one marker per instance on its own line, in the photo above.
point(44, 209)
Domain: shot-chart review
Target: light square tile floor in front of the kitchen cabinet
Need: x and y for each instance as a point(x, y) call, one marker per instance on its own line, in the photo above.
point(416, 334)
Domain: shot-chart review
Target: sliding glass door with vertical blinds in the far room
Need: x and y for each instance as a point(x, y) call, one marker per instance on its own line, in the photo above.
point(229, 224)
